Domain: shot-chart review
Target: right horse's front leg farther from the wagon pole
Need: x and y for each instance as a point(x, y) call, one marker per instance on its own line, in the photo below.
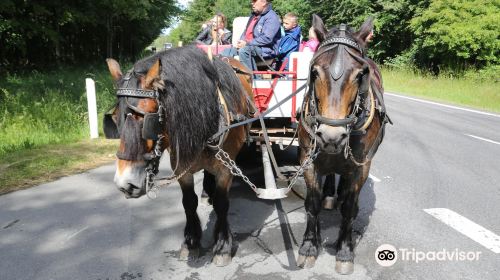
point(350, 186)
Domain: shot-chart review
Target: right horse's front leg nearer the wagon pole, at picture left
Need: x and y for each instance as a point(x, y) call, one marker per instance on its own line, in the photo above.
point(309, 249)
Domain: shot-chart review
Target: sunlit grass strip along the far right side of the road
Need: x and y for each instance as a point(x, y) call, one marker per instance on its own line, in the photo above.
point(468, 92)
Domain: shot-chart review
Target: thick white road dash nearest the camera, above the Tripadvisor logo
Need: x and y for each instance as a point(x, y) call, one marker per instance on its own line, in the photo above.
point(467, 227)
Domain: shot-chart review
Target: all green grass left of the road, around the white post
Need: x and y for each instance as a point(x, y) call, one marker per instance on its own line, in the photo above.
point(44, 125)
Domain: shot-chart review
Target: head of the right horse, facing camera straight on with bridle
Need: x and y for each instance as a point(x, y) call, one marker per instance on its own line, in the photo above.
point(339, 81)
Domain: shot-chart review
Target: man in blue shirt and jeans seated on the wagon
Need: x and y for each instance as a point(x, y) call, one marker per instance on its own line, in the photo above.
point(261, 36)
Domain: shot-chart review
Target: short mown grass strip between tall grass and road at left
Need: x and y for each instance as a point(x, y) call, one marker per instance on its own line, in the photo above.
point(25, 168)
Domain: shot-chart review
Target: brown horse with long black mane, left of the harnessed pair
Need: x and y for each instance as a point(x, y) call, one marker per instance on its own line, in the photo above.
point(177, 100)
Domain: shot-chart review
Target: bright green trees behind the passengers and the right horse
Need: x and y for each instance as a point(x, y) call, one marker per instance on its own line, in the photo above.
point(427, 33)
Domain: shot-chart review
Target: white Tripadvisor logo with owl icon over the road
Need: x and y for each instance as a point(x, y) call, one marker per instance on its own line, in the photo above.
point(387, 255)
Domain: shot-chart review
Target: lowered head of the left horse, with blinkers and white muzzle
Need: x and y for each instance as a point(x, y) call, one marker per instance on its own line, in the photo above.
point(135, 122)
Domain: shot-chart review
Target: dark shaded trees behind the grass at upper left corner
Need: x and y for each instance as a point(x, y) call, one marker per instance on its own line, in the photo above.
point(39, 33)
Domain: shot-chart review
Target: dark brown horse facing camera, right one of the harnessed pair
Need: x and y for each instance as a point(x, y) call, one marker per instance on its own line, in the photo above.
point(340, 130)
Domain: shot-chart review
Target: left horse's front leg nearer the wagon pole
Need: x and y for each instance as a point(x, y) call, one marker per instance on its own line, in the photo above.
point(223, 237)
